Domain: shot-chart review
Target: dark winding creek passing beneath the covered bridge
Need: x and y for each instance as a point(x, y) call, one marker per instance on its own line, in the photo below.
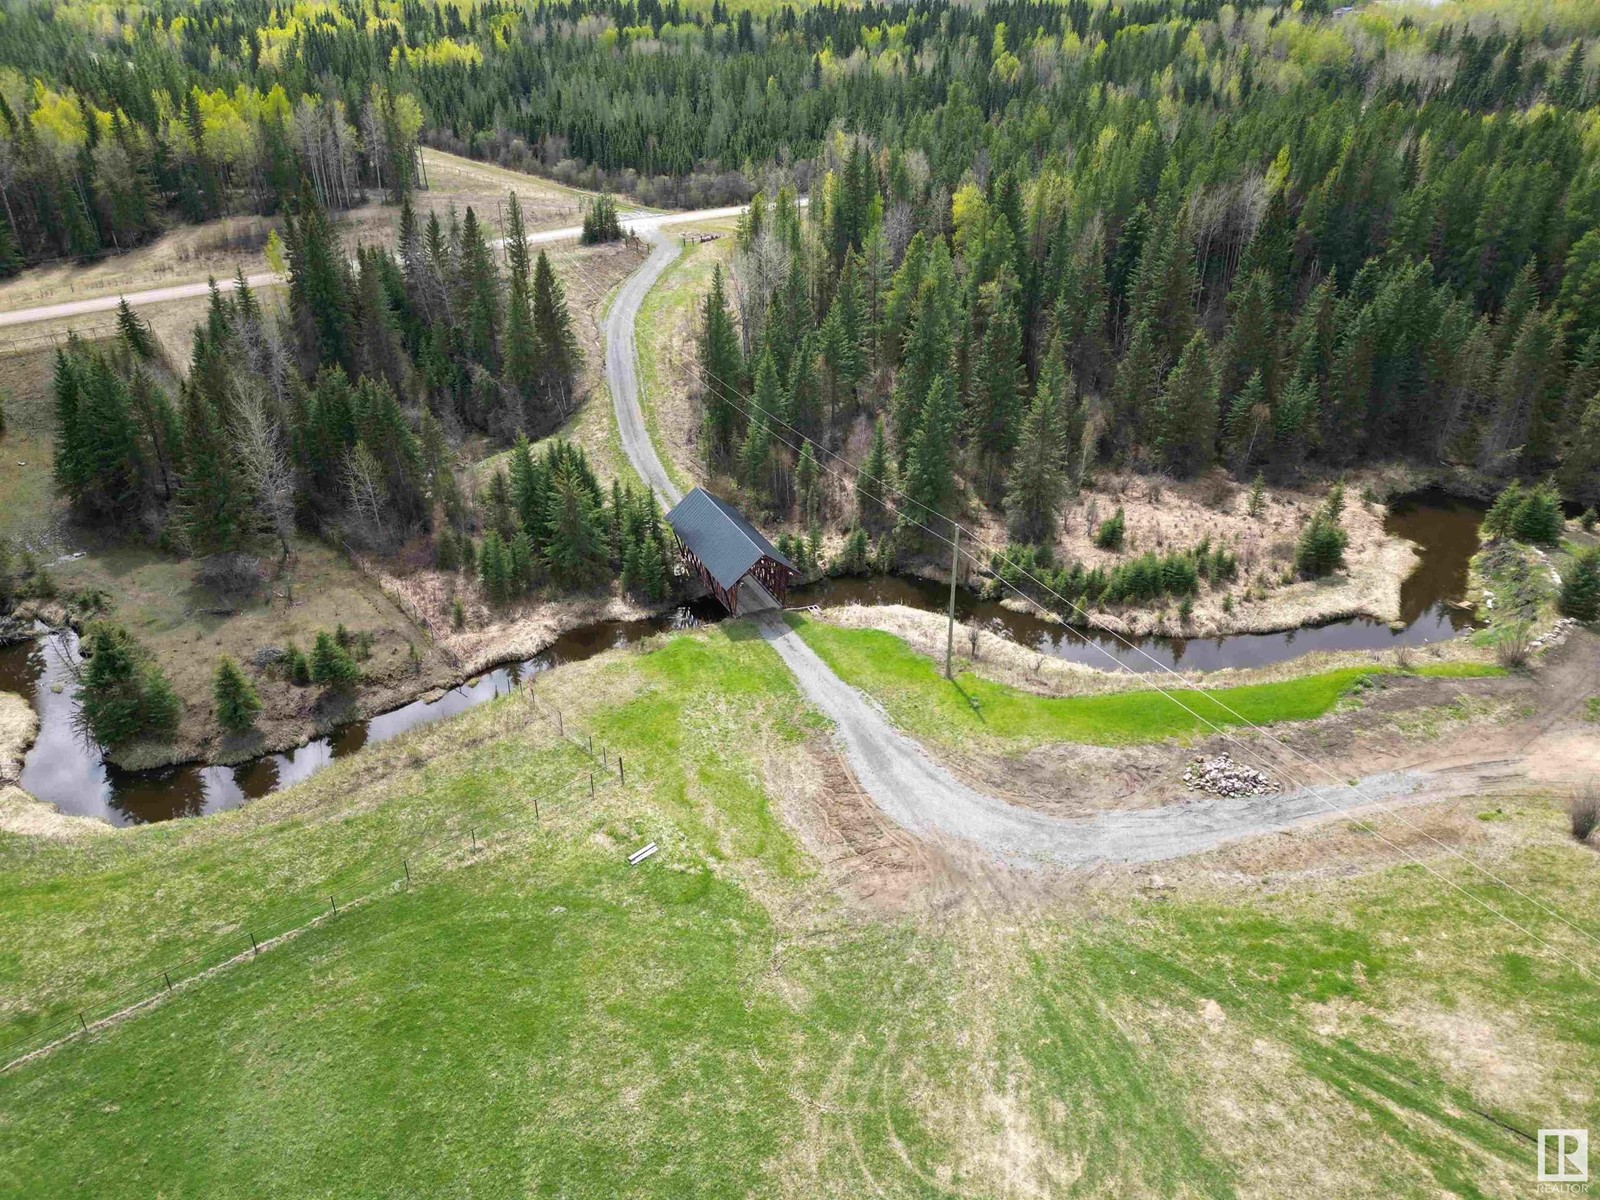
point(70, 772)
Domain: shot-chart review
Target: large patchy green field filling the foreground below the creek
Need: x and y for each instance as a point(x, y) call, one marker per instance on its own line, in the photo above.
point(542, 1020)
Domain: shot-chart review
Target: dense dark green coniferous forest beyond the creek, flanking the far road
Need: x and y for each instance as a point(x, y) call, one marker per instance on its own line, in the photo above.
point(1039, 239)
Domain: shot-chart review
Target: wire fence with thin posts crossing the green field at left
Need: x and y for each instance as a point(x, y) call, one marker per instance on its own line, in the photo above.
point(260, 932)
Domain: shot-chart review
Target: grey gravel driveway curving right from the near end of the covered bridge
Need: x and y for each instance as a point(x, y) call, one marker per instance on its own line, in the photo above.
point(926, 799)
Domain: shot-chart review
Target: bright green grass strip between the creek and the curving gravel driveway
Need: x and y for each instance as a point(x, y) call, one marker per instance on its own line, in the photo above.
point(924, 703)
